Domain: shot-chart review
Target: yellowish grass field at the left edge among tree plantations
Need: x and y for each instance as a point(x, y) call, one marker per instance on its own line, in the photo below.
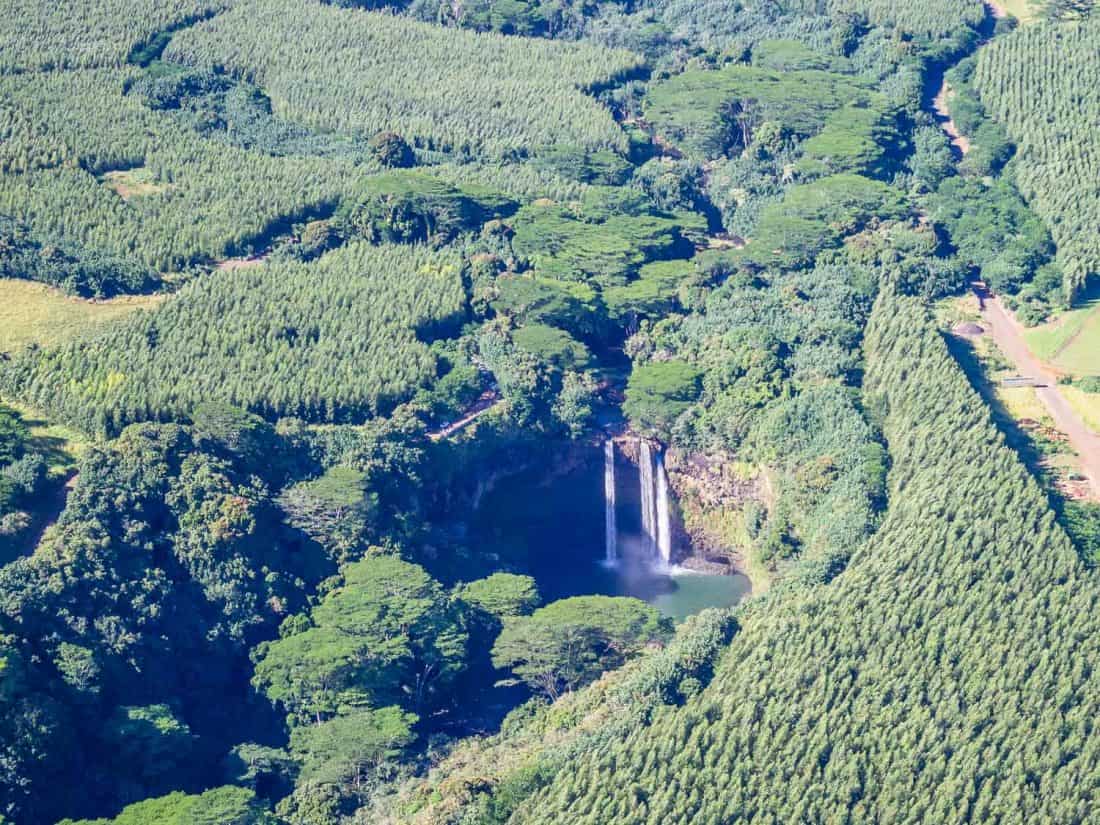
point(34, 313)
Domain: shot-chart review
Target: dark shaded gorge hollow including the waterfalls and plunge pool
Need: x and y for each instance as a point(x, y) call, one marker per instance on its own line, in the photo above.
point(610, 526)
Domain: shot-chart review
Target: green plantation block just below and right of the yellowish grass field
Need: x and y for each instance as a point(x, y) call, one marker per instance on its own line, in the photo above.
point(325, 342)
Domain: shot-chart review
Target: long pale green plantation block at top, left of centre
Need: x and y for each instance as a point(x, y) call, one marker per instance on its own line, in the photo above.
point(500, 95)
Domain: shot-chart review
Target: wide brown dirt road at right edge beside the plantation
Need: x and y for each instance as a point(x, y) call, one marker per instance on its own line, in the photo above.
point(1008, 335)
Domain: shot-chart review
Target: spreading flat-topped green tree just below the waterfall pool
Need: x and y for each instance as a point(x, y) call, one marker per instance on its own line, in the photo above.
point(571, 642)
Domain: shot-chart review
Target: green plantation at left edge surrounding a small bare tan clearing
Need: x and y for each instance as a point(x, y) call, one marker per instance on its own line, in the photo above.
point(75, 134)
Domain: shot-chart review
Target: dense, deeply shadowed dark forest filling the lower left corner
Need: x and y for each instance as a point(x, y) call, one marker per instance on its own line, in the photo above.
point(169, 562)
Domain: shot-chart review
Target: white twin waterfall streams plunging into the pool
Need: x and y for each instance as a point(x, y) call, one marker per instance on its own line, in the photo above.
point(656, 527)
